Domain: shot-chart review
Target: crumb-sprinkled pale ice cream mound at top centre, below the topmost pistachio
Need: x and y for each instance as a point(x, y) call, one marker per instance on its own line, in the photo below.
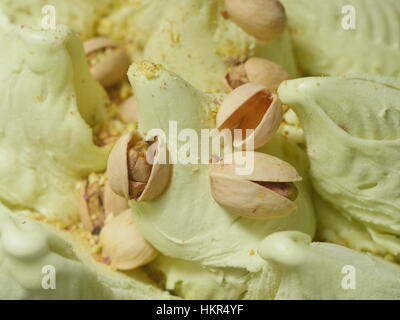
point(193, 39)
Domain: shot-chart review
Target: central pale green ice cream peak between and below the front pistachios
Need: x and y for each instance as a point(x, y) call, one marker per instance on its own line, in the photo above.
point(206, 233)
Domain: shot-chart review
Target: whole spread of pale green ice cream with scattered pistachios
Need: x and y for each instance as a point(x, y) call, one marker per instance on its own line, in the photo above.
point(80, 197)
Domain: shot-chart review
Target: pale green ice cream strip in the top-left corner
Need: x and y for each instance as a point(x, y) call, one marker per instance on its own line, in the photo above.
point(81, 15)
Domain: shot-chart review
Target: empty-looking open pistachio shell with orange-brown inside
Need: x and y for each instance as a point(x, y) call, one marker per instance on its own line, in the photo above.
point(250, 106)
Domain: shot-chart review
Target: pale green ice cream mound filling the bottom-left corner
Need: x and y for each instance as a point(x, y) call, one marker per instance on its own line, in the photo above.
point(26, 246)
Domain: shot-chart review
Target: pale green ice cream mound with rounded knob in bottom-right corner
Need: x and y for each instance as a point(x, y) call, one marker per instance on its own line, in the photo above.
point(315, 270)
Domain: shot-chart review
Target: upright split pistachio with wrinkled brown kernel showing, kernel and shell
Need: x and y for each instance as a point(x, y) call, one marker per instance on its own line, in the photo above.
point(130, 174)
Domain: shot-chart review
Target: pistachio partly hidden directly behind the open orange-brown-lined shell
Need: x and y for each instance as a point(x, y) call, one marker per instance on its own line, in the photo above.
point(258, 70)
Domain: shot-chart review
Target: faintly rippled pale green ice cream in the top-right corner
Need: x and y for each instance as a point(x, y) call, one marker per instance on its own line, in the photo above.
point(324, 47)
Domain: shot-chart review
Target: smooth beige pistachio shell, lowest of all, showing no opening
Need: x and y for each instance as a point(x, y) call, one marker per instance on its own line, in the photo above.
point(123, 245)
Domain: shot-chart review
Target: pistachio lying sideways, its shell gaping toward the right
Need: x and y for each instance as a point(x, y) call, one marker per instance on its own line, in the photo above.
point(240, 194)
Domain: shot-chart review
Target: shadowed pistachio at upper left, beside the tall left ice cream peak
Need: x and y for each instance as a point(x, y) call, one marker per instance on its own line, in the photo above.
point(108, 61)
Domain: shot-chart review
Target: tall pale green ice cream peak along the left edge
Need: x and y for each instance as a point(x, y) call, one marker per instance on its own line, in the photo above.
point(47, 101)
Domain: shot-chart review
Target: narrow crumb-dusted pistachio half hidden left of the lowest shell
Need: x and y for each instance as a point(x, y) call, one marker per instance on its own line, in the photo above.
point(91, 208)
